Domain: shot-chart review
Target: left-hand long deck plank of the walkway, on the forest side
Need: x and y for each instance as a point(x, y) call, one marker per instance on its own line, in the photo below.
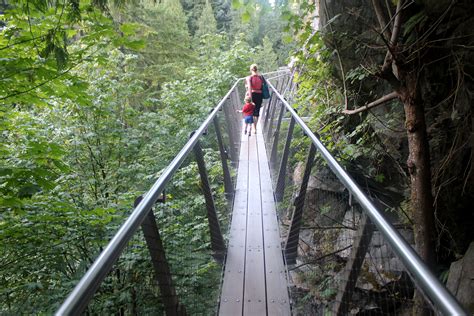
point(231, 301)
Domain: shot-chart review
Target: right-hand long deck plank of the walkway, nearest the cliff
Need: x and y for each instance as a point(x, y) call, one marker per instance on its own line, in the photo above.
point(278, 302)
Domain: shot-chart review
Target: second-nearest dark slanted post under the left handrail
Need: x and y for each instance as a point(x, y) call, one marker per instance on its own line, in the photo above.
point(217, 241)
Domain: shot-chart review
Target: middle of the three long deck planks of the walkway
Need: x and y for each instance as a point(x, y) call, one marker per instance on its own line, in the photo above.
point(254, 288)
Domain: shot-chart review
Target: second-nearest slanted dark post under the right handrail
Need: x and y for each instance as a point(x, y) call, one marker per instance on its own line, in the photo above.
point(292, 240)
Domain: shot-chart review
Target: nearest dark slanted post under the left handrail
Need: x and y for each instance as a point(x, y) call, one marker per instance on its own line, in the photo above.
point(160, 264)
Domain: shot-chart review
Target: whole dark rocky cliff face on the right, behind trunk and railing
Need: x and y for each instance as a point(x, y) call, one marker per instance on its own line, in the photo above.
point(436, 41)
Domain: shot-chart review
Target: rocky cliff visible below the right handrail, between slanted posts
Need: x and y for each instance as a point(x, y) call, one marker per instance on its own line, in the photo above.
point(332, 225)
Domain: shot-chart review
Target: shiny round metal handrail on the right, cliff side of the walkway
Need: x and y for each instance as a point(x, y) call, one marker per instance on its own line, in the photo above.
point(424, 279)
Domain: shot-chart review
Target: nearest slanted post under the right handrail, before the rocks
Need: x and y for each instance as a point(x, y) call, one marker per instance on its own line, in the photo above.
point(353, 266)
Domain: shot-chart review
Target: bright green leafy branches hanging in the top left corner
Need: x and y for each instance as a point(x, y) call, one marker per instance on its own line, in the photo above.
point(36, 53)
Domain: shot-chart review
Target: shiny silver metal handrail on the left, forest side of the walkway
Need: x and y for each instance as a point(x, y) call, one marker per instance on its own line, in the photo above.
point(79, 298)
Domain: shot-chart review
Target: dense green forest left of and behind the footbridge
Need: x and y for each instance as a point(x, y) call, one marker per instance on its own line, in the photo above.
point(96, 99)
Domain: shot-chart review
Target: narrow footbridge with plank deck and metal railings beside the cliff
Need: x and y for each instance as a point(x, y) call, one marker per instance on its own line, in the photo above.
point(256, 256)
